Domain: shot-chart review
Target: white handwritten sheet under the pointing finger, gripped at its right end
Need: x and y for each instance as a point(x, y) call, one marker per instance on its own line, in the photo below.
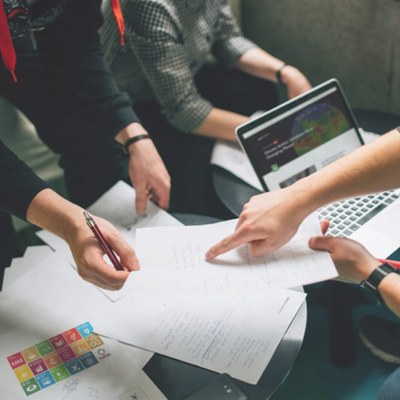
point(183, 249)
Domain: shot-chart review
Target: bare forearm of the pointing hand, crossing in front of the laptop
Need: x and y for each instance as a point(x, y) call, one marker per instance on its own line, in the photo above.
point(372, 168)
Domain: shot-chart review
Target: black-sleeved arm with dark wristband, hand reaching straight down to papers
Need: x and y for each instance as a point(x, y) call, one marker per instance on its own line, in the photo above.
point(73, 43)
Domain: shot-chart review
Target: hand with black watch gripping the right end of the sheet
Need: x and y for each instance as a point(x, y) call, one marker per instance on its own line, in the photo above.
point(353, 262)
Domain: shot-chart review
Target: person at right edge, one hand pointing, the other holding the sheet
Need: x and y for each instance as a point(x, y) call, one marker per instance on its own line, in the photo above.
point(269, 220)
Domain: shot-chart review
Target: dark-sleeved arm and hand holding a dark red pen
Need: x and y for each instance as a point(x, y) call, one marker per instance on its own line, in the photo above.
point(25, 195)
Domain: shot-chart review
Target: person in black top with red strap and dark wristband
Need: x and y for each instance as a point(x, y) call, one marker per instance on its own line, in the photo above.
point(53, 70)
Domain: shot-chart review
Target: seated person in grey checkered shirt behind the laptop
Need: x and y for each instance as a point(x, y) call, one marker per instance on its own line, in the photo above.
point(185, 101)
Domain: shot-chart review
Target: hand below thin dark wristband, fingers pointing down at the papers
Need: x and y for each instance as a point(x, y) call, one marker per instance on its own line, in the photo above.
point(148, 175)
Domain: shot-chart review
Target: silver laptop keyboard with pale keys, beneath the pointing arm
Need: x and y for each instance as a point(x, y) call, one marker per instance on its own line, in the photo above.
point(346, 216)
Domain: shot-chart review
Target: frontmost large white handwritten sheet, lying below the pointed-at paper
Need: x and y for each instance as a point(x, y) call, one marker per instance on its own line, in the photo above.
point(222, 332)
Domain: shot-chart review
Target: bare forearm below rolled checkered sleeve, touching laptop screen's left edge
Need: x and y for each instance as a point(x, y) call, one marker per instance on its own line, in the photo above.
point(221, 124)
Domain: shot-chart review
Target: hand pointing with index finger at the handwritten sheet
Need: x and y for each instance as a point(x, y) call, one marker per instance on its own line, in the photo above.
point(267, 222)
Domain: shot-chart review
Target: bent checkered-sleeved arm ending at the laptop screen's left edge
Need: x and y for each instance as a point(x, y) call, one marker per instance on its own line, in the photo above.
point(159, 50)
